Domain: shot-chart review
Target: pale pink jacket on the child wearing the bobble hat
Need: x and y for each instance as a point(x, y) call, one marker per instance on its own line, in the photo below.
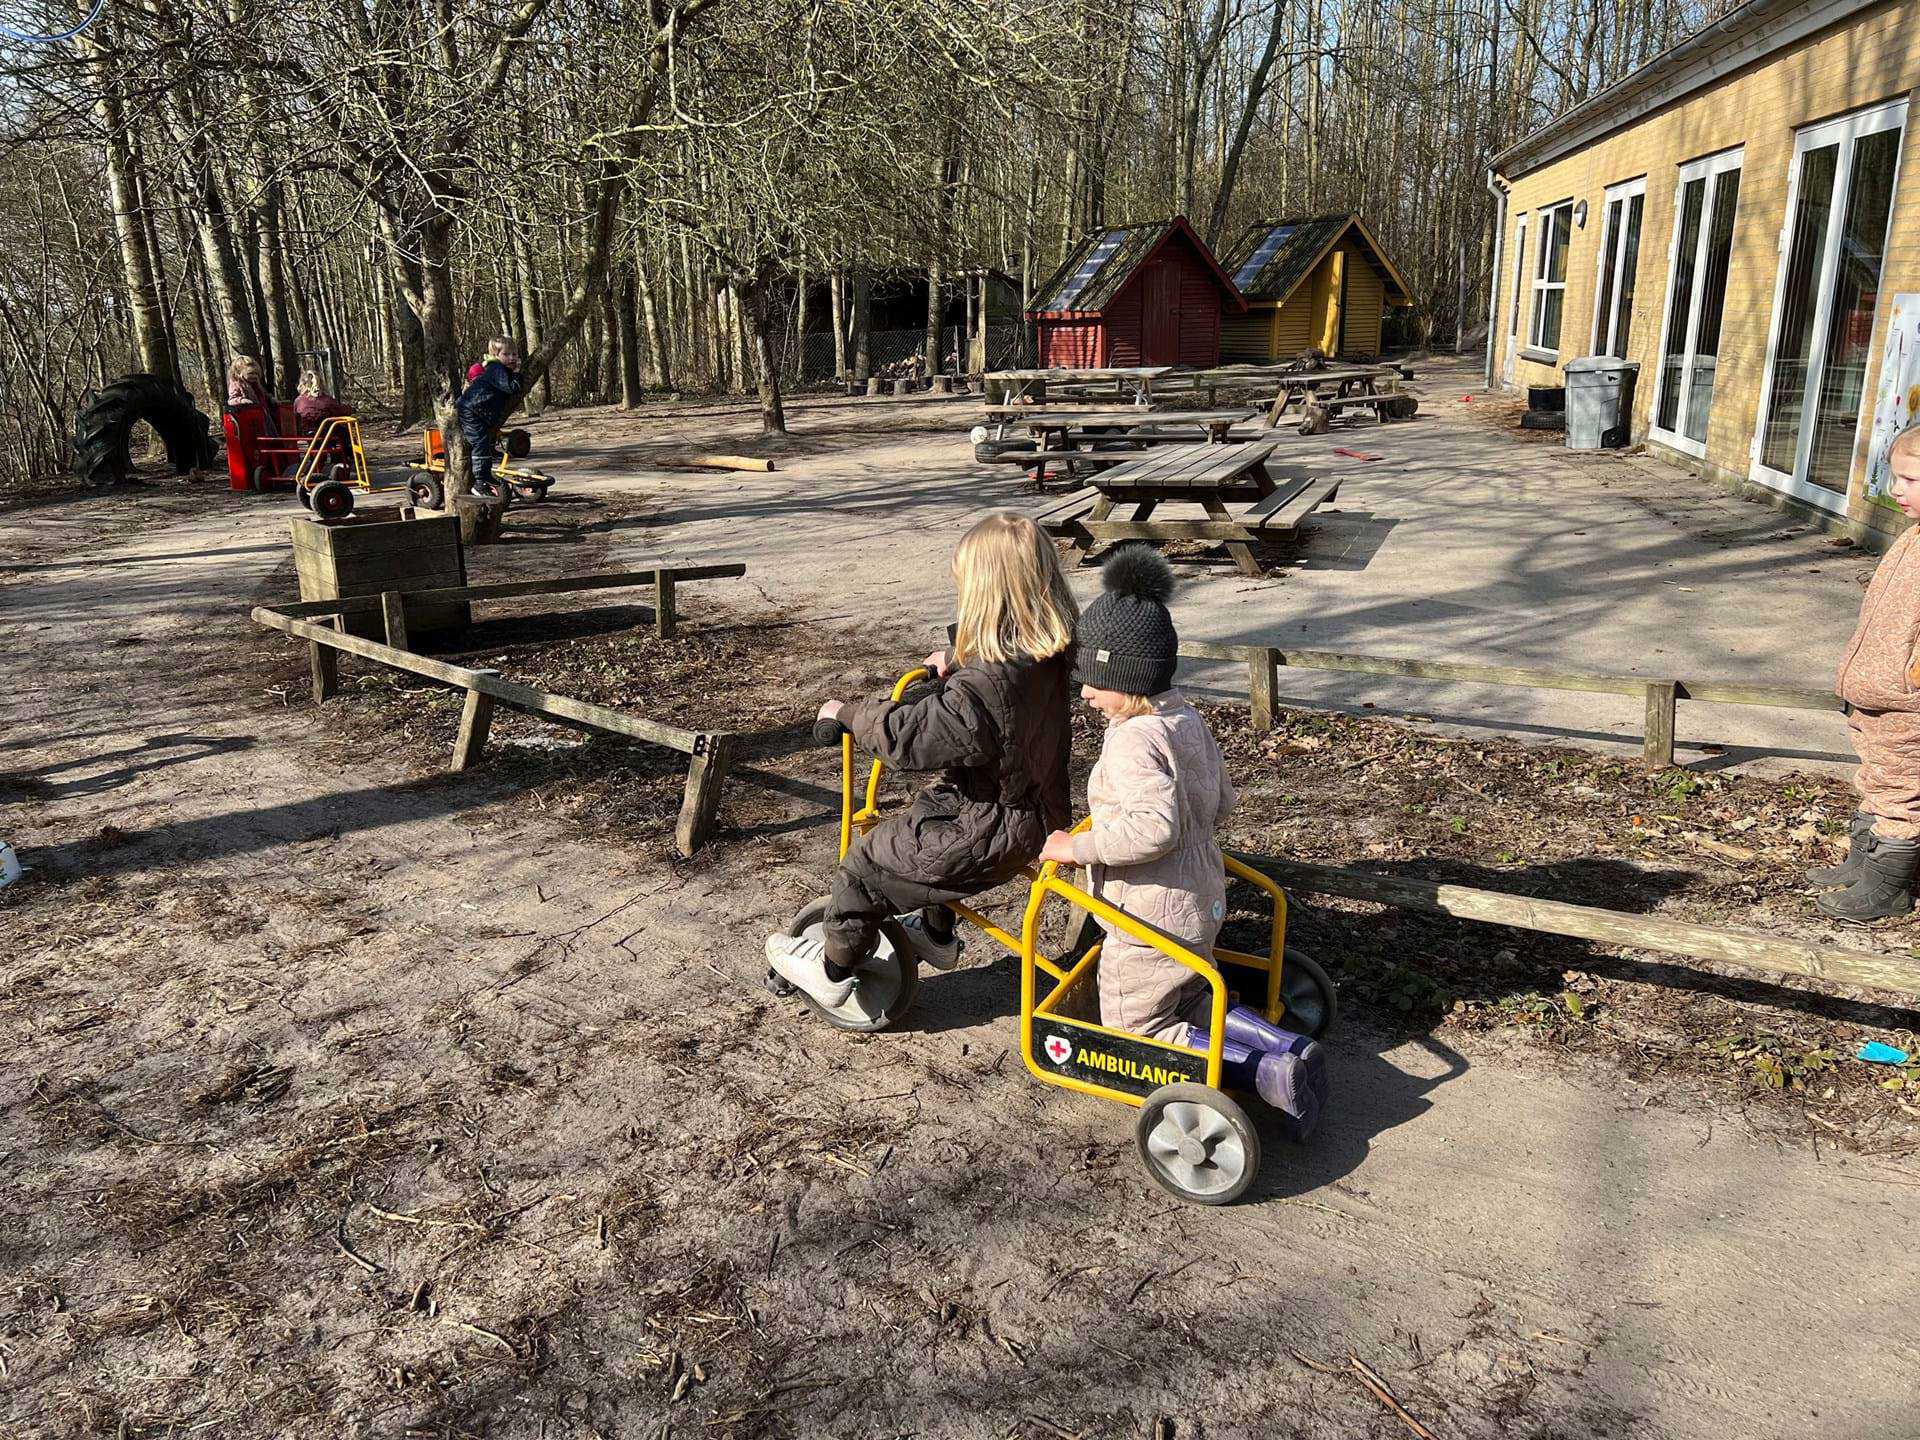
point(1155, 796)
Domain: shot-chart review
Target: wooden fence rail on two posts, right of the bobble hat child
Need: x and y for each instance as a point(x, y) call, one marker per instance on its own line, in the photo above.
point(1662, 696)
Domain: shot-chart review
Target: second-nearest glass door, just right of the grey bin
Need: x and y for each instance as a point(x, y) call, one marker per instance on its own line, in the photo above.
point(1706, 203)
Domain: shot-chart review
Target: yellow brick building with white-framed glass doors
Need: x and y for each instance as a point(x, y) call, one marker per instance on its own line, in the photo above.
point(1737, 218)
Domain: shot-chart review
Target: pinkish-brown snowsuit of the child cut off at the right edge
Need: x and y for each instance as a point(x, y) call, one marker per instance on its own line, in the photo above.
point(1877, 679)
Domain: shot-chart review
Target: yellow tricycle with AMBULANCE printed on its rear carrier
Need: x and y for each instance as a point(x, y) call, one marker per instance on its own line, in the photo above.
point(1193, 1136)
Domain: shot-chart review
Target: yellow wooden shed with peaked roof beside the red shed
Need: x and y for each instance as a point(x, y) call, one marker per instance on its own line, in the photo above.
point(1318, 283)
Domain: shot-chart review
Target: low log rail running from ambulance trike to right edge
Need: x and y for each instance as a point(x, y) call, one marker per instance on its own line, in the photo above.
point(1737, 948)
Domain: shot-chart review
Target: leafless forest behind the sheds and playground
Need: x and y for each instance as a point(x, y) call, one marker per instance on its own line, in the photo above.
point(638, 189)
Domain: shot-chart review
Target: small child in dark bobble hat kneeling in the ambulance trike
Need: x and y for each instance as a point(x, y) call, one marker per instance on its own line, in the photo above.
point(1155, 798)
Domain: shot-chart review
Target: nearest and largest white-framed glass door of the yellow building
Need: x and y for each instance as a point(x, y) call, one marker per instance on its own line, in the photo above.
point(1825, 302)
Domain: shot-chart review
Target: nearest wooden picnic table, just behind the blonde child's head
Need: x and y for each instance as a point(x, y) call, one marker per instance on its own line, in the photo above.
point(1195, 475)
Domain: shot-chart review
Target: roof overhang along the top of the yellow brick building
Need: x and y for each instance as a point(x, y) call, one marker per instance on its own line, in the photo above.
point(1702, 60)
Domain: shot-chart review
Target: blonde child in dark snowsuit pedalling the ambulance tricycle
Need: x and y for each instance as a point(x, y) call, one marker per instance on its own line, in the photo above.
point(996, 729)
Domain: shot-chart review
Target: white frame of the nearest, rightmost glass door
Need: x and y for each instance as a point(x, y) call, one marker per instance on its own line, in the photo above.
point(1846, 130)
